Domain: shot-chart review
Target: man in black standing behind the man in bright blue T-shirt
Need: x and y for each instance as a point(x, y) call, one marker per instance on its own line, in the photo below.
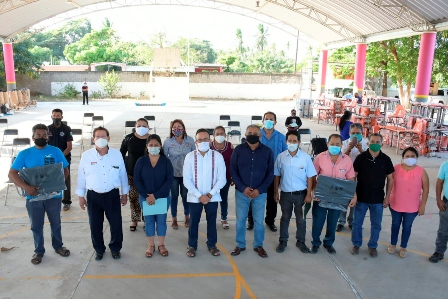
point(60, 136)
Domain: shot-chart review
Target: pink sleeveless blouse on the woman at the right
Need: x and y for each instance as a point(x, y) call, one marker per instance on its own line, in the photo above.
point(407, 189)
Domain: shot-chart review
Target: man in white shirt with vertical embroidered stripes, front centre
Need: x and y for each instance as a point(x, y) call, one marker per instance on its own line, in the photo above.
point(204, 175)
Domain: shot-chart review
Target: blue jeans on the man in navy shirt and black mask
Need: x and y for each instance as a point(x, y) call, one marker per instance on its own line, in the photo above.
point(242, 203)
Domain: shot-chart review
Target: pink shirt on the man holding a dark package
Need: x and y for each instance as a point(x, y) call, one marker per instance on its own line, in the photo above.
point(342, 169)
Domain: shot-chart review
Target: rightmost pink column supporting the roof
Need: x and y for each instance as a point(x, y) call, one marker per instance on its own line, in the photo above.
point(424, 69)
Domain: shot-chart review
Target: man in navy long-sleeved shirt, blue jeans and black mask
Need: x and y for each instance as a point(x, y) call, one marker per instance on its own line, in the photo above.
point(252, 169)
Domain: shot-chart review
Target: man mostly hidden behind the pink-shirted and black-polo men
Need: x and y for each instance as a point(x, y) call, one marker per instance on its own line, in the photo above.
point(352, 148)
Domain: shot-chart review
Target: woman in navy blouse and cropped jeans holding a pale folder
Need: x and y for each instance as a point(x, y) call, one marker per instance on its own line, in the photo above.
point(153, 178)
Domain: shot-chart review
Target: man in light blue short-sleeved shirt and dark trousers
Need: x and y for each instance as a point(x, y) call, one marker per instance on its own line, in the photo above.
point(294, 172)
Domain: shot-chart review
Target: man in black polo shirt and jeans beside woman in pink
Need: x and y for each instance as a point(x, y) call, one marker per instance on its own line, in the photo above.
point(372, 168)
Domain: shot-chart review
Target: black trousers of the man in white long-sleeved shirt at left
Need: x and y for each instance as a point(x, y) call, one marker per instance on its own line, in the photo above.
point(98, 205)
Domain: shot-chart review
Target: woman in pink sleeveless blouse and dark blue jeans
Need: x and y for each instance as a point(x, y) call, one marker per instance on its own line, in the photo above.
point(408, 198)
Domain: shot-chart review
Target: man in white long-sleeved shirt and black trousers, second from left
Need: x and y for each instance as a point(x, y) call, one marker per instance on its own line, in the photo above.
point(101, 173)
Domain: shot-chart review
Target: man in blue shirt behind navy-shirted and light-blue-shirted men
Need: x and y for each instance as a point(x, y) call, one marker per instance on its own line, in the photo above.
point(276, 142)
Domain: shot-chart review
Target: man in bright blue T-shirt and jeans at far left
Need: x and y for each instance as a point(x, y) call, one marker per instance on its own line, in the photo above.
point(39, 155)
